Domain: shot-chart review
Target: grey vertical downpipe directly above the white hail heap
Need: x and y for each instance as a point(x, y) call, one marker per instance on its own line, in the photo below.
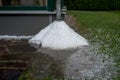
point(58, 10)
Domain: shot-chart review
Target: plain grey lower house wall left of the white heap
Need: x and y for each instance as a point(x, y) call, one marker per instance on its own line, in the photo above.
point(24, 24)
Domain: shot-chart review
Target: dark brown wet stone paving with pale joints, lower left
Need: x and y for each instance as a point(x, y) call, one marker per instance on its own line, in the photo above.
point(14, 58)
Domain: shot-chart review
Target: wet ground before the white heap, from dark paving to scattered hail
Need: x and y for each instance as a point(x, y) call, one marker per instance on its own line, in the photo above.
point(17, 57)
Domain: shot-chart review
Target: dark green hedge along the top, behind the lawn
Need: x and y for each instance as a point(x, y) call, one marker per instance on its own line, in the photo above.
point(95, 5)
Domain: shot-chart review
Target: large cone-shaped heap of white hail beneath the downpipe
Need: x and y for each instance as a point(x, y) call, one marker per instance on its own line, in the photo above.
point(58, 35)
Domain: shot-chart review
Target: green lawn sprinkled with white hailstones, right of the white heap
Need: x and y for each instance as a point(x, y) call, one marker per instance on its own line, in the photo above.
point(101, 28)
